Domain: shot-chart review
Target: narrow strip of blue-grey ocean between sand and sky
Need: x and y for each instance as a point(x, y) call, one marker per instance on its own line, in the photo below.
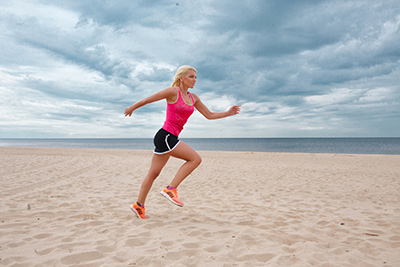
point(387, 146)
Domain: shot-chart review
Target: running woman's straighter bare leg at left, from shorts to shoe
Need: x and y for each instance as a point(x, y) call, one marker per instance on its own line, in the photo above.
point(157, 164)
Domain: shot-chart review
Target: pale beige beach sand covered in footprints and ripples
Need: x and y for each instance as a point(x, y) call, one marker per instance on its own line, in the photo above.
point(70, 207)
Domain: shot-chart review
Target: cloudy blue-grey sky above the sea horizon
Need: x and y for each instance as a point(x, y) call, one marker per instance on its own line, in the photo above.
point(298, 68)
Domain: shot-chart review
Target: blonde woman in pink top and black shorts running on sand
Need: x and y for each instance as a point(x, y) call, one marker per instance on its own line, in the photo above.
point(180, 105)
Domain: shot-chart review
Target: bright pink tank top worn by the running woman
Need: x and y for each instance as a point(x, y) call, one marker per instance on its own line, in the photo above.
point(177, 115)
